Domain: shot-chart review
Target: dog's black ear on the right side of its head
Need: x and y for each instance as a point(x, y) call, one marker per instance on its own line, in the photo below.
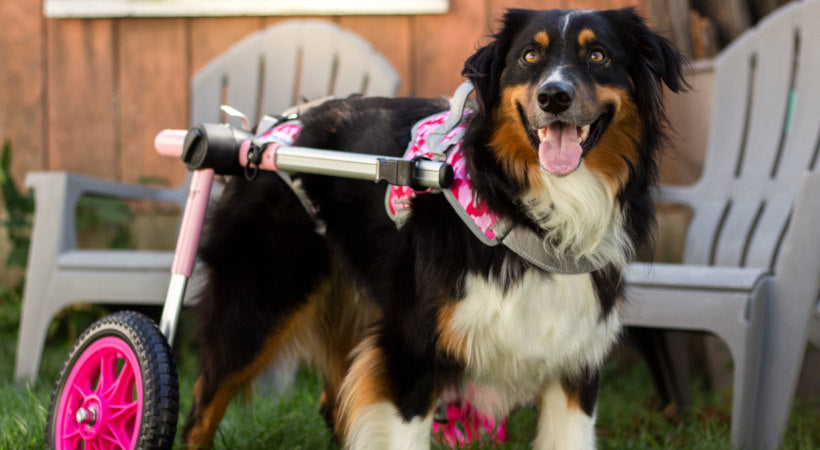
point(660, 56)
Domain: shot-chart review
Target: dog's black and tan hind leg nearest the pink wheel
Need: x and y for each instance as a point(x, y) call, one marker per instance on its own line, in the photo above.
point(265, 261)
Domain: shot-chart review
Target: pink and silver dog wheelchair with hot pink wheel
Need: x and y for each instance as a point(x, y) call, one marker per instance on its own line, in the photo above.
point(118, 387)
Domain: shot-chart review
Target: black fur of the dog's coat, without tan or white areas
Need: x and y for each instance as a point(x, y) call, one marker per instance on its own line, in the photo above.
point(265, 257)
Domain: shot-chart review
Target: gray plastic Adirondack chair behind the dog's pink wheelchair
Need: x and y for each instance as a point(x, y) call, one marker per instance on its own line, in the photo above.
point(266, 72)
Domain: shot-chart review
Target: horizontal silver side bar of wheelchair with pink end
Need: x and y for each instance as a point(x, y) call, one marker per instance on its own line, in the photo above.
point(225, 149)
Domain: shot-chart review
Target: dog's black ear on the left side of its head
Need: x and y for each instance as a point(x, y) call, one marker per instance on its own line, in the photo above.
point(485, 66)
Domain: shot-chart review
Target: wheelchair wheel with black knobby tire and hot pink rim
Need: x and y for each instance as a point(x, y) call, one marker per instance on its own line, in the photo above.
point(129, 347)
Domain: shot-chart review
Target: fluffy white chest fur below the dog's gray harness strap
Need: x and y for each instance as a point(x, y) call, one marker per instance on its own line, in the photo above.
point(543, 327)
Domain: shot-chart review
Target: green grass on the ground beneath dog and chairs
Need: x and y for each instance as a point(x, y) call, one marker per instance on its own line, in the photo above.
point(630, 415)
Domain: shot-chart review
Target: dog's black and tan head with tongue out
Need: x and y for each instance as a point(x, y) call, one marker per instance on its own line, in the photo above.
point(567, 87)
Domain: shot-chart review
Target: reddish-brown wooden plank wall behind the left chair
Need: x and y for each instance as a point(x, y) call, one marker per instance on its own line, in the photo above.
point(88, 95)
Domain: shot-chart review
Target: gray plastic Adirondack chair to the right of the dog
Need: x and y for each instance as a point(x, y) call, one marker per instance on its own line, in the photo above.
point(751, 267)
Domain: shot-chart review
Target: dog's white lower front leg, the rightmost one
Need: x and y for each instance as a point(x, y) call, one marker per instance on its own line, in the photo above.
point(567, 414)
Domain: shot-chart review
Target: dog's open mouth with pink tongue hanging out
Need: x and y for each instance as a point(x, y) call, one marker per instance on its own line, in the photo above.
point(562, 146)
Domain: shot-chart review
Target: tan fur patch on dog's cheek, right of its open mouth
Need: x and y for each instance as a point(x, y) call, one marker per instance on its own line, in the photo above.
point(618, 147)
